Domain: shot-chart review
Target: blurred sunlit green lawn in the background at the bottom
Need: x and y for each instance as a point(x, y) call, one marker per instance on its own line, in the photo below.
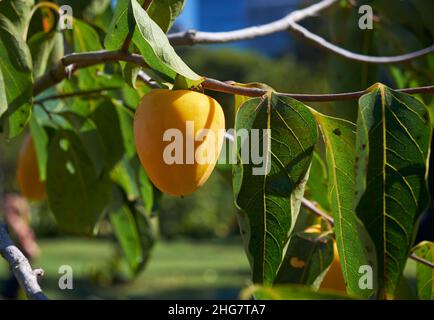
point(177, 270)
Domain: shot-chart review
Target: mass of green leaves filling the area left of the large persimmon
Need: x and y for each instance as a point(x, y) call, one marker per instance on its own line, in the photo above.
point(84, 143)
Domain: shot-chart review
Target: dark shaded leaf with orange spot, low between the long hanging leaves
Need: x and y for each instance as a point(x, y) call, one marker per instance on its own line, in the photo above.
point(307, 259)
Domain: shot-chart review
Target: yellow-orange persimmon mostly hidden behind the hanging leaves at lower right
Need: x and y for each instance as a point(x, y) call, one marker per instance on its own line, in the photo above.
point(334, 279)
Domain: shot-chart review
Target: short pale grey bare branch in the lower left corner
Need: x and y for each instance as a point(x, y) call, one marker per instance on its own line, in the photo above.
point(26, 276)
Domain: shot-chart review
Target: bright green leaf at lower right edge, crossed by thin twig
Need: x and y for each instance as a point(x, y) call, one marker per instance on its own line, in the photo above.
point(424, 273)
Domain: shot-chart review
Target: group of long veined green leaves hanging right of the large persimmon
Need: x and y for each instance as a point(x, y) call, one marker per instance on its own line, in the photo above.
point(376, 177)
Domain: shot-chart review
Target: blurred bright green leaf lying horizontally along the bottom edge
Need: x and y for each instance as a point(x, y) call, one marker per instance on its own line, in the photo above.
point(291, 292)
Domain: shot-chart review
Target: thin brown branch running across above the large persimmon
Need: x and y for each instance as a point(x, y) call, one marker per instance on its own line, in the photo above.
point(86, 59)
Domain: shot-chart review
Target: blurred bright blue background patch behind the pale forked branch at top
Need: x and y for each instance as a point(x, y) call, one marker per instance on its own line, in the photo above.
point(225, 15)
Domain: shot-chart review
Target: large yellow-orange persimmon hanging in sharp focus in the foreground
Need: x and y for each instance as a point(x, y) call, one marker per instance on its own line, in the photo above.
point(161, 110)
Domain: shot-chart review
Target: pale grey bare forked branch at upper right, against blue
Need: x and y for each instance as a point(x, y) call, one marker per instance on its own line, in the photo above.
point(289, 22)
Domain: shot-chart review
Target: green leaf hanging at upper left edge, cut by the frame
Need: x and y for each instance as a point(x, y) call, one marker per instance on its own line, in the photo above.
point(16, 66)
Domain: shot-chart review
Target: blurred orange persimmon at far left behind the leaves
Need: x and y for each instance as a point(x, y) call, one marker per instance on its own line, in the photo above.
point(28, 179)
